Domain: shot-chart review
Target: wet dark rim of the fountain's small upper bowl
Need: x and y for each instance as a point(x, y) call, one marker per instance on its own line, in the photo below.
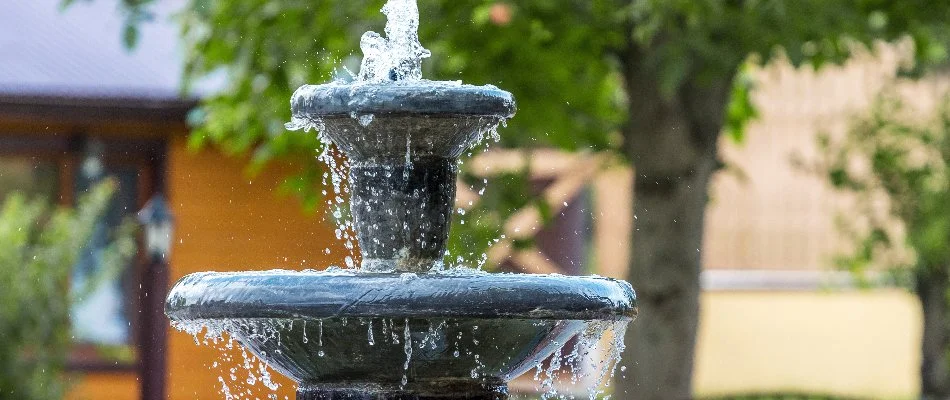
point(401, 98)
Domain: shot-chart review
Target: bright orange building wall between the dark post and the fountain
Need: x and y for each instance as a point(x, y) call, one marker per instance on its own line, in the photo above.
point(229, 220)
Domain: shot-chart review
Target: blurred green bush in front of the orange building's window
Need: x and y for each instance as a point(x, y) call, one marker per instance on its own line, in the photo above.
point(38, 248)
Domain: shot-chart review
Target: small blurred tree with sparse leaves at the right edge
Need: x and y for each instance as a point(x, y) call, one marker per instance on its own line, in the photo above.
point(897, 170)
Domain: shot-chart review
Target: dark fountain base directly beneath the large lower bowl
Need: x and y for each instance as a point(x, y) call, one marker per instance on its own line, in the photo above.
point(435, 390)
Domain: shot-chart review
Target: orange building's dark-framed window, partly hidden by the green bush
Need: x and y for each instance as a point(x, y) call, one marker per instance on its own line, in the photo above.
point(105, 315)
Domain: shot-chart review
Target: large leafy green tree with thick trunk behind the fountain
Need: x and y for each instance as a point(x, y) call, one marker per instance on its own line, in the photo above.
point(654, 81)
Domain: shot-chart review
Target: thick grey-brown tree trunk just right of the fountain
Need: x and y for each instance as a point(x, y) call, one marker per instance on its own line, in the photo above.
point(672, 145)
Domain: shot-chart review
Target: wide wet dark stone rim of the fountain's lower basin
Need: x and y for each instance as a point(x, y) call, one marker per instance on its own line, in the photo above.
point(313, 295)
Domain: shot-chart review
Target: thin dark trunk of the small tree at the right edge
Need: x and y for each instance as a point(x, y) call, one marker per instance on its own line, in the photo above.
point(935, 367)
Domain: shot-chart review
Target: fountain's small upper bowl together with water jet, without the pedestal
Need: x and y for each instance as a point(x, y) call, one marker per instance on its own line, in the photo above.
point(390, 112)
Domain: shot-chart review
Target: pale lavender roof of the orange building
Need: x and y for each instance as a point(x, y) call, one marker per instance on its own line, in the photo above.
point(76, 55)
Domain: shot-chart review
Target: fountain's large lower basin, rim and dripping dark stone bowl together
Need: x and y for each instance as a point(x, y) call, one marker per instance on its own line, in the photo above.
point(344, 335)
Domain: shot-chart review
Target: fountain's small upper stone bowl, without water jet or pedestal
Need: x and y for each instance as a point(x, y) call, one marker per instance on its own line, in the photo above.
point(373, 121)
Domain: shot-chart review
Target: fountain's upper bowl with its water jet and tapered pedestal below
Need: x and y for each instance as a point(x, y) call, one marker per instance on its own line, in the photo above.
point(403, 136)
